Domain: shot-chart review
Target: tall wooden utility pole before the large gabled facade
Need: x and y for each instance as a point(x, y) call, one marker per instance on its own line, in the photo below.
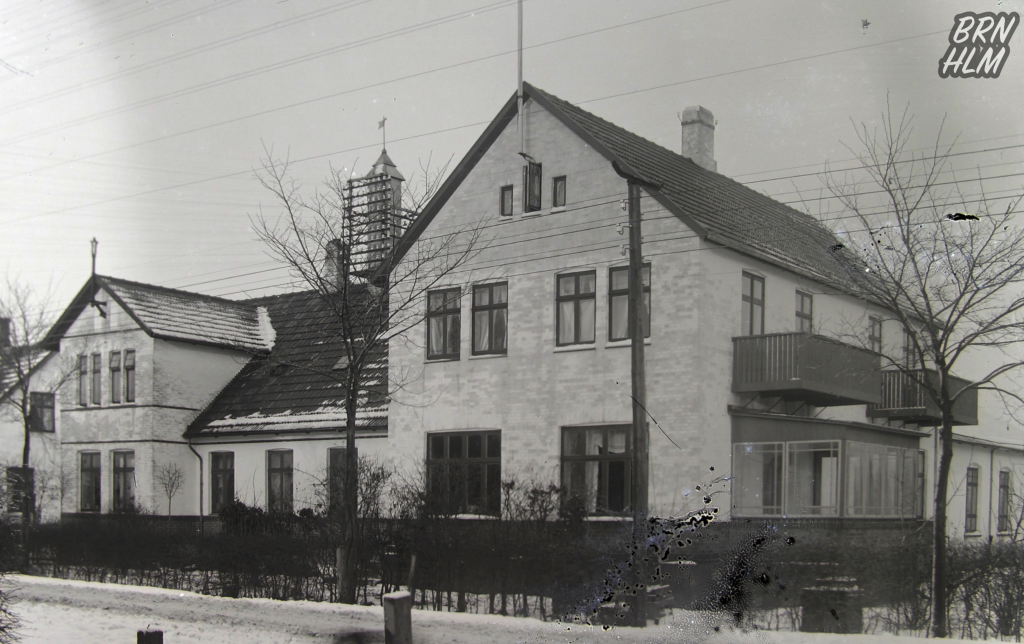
point(642, 439)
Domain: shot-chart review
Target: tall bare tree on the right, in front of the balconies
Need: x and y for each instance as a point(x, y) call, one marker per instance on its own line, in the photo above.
point(950, 268)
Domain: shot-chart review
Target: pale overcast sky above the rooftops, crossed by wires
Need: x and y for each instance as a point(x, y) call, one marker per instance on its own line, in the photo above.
point(141, 123)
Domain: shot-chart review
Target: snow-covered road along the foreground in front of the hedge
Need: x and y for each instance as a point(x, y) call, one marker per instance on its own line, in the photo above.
point(87, 613)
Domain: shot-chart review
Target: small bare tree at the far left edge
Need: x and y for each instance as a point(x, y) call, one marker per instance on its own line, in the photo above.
point(26, 395)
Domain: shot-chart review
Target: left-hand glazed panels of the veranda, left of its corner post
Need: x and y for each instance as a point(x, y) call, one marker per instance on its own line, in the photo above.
point(798, 479)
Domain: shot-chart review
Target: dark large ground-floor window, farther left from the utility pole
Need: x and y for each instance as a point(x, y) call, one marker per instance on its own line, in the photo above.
point(464, 471)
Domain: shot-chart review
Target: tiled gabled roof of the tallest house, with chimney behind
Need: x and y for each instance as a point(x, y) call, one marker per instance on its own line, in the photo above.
point(719, 209)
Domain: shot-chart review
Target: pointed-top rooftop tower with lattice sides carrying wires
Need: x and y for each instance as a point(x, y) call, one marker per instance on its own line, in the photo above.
point(375, 219)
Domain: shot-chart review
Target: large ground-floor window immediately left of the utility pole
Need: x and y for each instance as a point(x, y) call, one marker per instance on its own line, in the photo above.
point(596, 467)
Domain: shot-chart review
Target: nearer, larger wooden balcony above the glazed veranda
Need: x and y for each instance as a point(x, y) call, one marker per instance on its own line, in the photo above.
point(802, 367)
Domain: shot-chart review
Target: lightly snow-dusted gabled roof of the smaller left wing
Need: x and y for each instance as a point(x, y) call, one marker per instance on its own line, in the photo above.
point(172, 315)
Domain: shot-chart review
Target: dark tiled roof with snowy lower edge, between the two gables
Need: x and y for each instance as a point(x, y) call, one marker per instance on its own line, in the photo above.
point(296, 388)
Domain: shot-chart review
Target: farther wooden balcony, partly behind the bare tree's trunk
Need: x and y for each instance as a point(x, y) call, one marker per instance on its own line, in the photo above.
point(905, 399)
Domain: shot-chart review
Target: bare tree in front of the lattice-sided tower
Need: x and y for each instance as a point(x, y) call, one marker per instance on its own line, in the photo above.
point(326, 240)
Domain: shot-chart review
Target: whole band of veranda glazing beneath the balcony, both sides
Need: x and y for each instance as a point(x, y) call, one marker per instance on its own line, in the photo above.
point(804, 480)
